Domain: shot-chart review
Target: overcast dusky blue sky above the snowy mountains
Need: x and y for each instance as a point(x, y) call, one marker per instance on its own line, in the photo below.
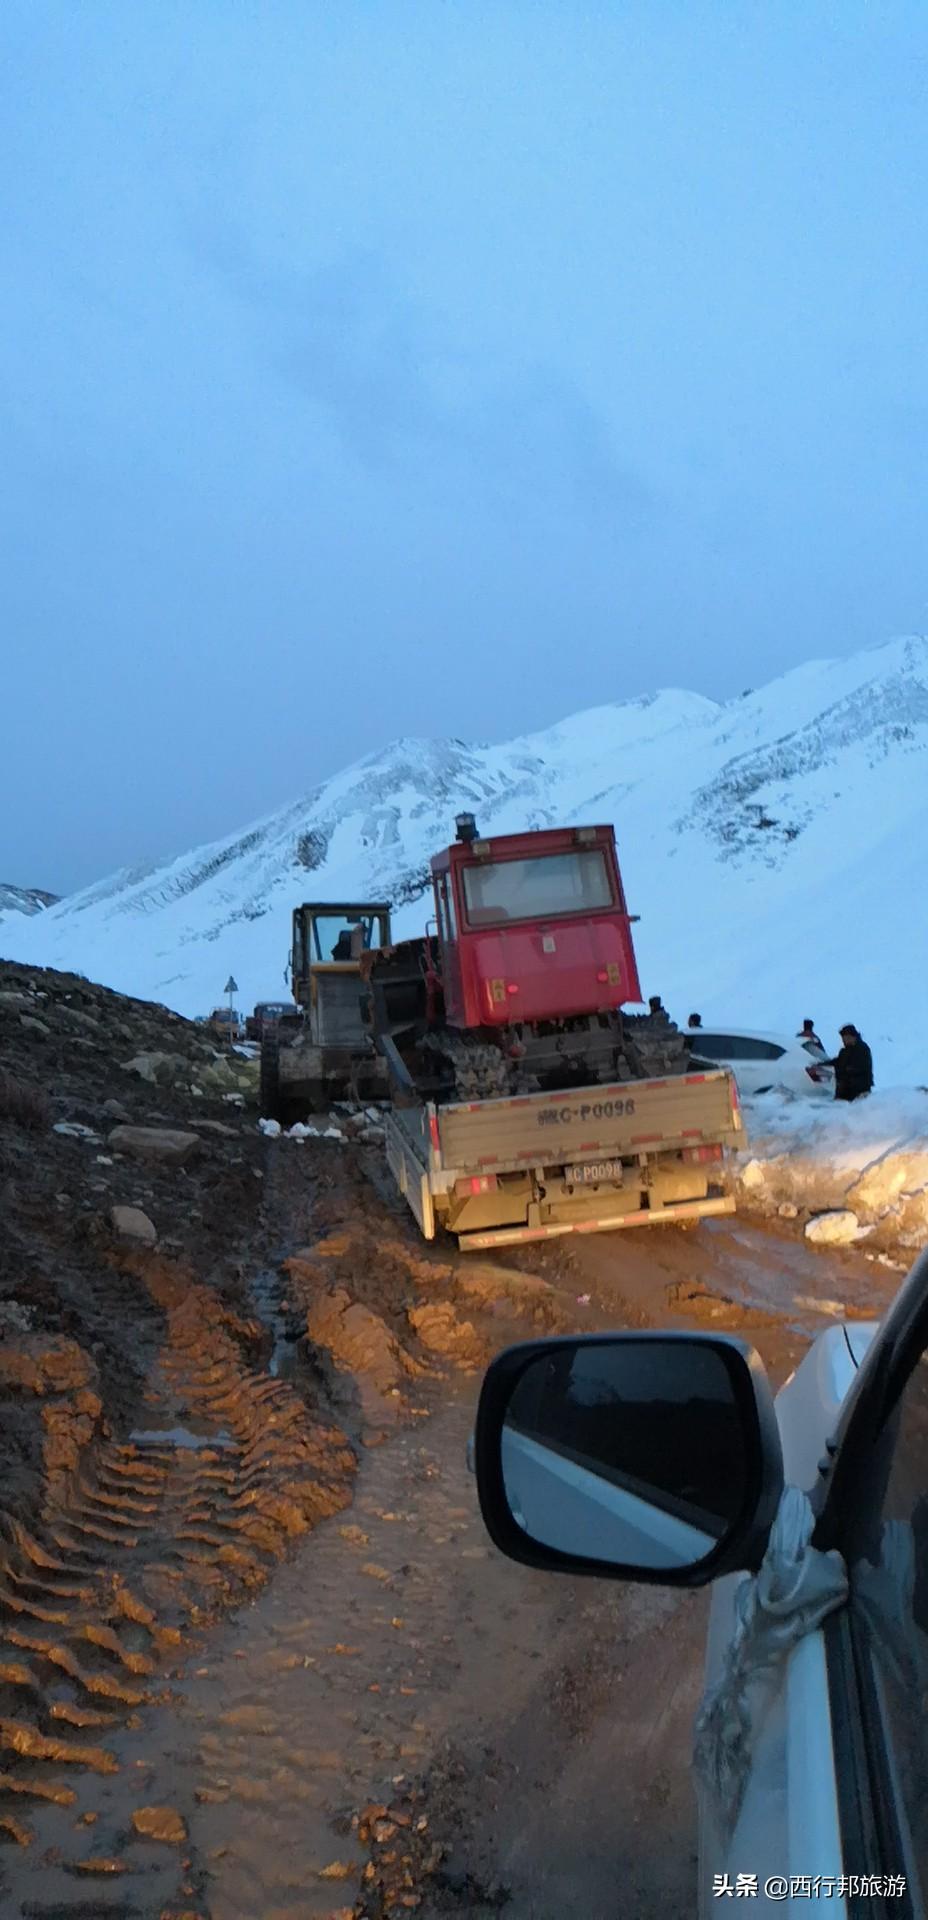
point(437, 368)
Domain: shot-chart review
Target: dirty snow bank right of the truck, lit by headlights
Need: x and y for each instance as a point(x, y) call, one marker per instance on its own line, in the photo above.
point(869, 1159)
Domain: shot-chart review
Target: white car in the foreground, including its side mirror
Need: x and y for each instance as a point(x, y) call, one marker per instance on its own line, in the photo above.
point(664, 1458)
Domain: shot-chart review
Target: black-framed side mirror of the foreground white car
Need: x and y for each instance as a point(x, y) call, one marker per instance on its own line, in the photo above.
point(635, 1456)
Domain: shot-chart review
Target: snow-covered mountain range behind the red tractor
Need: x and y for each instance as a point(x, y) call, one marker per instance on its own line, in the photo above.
point(773, 848)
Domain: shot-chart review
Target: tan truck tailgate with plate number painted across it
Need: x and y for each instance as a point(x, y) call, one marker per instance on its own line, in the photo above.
point(554, 1130)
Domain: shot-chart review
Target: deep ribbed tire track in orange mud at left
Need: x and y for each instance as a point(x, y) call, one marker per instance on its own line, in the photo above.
point(99, 1598)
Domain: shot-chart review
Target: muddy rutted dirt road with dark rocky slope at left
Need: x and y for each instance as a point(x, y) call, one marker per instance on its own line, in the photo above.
point(258, 1660)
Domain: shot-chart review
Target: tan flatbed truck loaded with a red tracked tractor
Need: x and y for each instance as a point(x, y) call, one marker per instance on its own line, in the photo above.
point(525, 1101)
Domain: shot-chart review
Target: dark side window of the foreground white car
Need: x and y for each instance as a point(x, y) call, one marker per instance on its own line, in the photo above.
point(889, 1612)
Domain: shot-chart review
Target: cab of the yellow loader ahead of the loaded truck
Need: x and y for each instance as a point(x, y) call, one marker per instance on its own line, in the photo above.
point(330, 942)
